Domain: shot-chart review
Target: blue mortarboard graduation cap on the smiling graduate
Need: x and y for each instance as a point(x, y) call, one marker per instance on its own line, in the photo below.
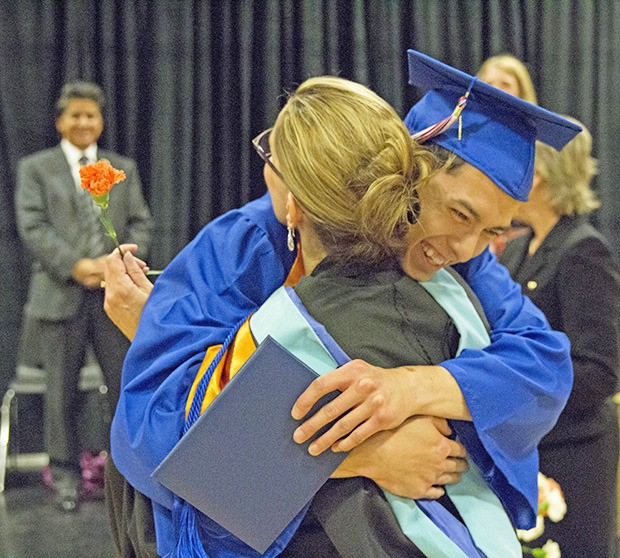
point(497, 130)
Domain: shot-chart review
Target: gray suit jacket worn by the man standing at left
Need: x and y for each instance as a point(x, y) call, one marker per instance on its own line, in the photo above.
point(51, 225)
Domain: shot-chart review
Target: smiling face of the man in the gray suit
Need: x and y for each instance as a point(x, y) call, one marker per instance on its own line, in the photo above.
point(81, 123)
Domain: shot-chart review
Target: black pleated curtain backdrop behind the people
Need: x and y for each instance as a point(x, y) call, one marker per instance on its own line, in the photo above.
point(189, 83)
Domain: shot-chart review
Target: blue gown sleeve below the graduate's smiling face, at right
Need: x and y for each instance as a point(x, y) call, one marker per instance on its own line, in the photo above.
point(516, 387)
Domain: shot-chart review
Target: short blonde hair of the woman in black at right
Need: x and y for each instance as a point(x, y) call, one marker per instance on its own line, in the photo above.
point(566, 174)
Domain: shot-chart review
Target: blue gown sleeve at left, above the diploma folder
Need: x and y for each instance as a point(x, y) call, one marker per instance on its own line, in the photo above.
point(223, 275)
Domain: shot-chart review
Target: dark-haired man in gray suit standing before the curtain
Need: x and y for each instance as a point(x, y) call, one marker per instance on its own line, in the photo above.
point(58, 223)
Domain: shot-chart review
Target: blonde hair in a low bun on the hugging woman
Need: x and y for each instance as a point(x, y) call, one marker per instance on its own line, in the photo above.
point(350, 163)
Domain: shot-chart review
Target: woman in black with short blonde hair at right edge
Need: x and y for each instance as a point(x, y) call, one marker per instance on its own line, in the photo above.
point(567, 269)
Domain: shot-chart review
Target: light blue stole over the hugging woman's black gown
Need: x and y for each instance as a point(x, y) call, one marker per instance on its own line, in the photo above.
point(483, 514)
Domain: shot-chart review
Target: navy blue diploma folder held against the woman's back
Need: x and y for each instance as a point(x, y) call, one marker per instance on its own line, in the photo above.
point(238, 463)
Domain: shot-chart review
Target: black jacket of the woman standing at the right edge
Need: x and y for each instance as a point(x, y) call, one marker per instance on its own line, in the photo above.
point(575, 281)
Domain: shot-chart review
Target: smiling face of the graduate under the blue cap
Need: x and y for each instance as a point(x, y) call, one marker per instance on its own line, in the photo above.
point(462, 211)
